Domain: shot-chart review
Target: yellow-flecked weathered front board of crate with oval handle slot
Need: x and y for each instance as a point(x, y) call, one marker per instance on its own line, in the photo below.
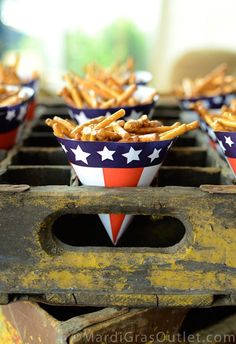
point(202, 263)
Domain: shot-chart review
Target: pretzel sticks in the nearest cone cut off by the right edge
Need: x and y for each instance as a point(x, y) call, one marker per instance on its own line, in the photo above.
point(224, 121)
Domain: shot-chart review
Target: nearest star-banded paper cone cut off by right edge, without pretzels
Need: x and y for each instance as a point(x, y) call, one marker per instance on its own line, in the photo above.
point(227, 142)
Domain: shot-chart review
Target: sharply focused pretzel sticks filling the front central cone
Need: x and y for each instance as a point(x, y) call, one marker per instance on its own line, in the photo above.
point(113, 128)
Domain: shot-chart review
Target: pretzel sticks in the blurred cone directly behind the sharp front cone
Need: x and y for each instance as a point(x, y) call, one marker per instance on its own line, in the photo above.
point(100, 90)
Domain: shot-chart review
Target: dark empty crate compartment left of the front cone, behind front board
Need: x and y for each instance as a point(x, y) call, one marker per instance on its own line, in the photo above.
point(37, 175)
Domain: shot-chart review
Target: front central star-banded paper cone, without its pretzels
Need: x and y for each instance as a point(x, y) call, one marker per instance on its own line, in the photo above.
point(115, 164)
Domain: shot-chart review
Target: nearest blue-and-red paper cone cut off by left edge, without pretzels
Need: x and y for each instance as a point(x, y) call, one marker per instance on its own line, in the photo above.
point(12, 117)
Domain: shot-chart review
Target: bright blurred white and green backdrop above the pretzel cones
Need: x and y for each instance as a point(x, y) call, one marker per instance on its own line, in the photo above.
point(171, 38)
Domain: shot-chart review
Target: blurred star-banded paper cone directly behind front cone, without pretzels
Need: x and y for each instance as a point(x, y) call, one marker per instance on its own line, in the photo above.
point(134, 112)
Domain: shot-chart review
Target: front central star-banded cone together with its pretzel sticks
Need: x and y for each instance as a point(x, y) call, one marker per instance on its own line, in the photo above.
point(110, 152)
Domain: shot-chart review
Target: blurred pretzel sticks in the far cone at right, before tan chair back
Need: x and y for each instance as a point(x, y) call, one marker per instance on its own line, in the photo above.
point(217, 82)
